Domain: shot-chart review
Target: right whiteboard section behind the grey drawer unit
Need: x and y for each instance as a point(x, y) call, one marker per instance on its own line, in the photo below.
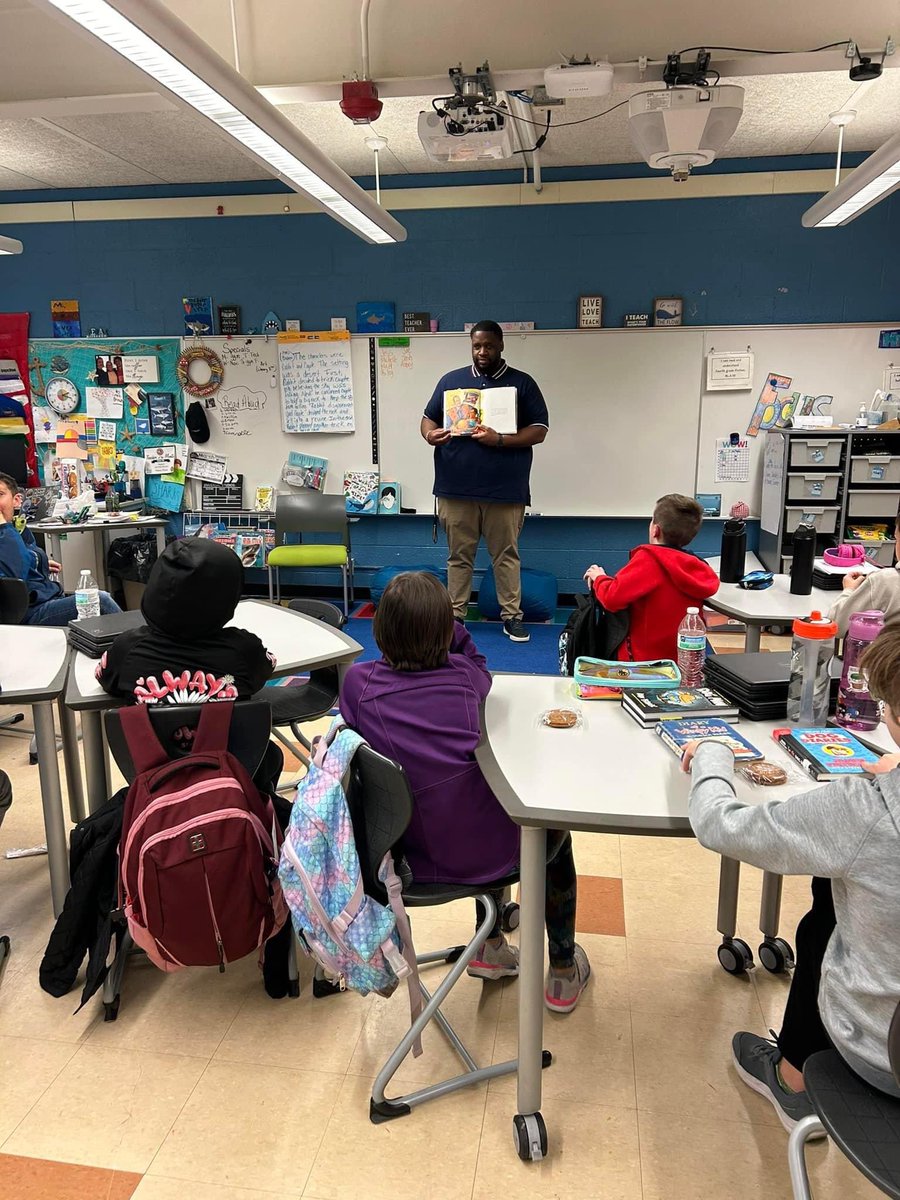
point(836, 361)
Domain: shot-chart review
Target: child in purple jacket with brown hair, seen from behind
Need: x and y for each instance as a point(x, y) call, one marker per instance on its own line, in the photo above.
point(419, 706)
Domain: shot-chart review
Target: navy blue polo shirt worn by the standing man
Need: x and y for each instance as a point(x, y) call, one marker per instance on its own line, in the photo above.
point(466, 470)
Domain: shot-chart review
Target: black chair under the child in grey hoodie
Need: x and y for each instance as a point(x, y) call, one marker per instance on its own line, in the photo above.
point(863, 1123)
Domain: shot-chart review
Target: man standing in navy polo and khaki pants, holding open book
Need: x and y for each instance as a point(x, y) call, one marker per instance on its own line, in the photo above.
point(482, 482)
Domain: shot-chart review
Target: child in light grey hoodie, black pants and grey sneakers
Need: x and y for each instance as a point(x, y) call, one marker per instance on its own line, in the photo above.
point(847, 832)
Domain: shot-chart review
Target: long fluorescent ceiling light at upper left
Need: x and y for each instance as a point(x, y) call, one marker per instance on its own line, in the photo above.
point(147, 34)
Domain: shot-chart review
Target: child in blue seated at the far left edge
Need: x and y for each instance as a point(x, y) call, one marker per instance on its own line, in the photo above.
point(22, 559)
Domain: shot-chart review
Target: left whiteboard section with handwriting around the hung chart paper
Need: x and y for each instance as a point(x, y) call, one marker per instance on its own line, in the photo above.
point(247, 422)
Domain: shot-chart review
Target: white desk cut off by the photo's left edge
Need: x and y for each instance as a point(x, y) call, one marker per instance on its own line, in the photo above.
point(34, 662)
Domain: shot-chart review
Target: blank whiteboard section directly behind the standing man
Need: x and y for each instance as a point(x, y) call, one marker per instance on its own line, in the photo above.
point(625, 411)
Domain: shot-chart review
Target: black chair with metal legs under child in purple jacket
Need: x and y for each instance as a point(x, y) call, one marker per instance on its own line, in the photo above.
point(381, 805)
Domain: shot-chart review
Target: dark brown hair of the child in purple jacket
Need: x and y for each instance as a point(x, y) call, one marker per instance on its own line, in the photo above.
point(415, 622)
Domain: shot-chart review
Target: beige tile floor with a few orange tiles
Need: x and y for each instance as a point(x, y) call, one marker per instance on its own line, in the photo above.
point(207, 1090)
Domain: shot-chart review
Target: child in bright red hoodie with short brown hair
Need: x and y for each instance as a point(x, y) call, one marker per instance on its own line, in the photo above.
point(659, 583)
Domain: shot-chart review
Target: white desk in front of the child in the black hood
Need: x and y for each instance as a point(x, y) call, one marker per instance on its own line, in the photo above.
point(298, 643)
